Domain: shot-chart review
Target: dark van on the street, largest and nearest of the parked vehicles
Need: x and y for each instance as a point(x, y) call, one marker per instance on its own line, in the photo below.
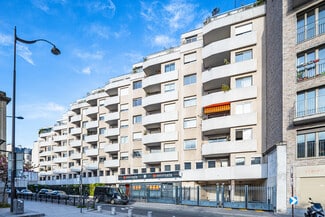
point(111, 195)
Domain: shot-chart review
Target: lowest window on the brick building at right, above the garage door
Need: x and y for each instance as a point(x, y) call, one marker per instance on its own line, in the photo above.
point(311, 144)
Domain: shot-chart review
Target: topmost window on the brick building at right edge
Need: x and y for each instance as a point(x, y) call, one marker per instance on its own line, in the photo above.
point(307, 27)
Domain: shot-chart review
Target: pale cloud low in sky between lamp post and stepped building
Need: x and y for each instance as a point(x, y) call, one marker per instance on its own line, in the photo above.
point(41, 110)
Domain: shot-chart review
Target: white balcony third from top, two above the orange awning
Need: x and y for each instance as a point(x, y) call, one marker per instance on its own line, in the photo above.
point(224, 71)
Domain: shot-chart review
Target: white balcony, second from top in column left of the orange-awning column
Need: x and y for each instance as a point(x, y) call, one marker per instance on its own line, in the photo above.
point(159, 78)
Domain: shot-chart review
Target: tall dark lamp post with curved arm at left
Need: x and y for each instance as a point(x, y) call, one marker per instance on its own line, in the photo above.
point(55, 51)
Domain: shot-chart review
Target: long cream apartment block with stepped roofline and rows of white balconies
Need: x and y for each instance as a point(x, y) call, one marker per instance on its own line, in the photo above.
point(192, 115)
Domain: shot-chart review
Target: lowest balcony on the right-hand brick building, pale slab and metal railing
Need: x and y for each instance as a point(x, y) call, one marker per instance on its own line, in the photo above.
point(309, 116)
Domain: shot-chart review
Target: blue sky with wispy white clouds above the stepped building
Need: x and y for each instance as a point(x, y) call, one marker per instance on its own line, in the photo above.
point(98, 39)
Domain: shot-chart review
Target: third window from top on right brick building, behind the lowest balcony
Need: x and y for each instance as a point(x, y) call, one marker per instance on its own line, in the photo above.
point(310, 102)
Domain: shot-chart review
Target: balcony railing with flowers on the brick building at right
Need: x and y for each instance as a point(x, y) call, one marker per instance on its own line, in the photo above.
point(311, 69)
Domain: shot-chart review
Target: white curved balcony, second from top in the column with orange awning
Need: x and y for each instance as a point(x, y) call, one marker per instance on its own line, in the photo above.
point(228, 44)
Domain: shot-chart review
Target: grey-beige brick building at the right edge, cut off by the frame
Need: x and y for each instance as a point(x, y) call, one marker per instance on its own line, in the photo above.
point(295, 122)
